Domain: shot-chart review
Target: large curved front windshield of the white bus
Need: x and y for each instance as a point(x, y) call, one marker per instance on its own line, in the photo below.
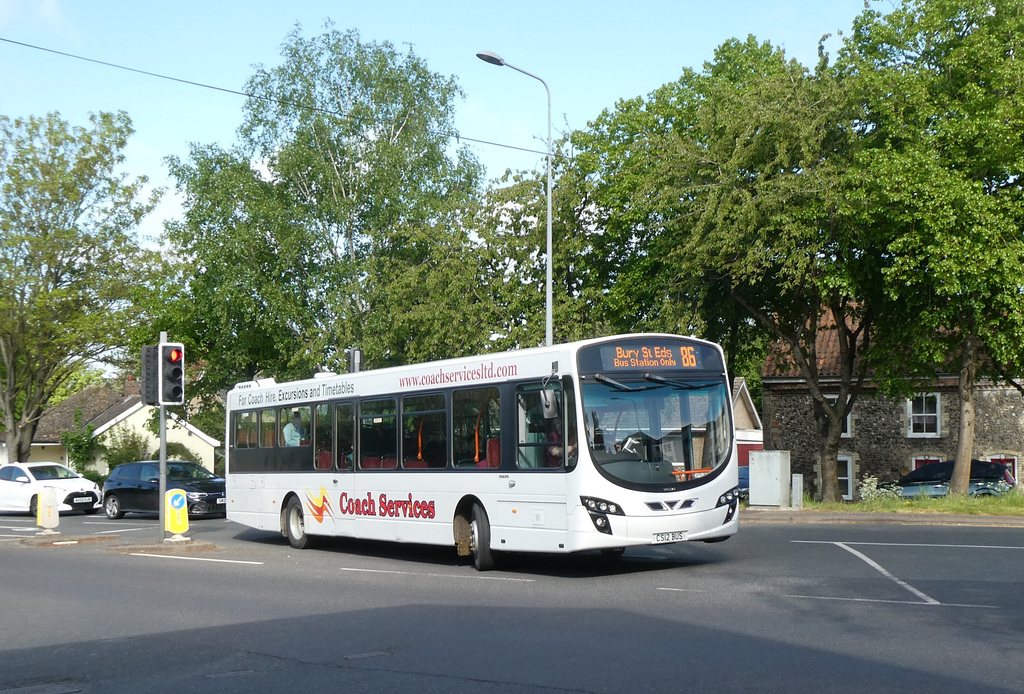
point(656, 432)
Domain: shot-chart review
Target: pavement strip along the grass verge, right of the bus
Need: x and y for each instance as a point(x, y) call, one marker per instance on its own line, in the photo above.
point(784, 515)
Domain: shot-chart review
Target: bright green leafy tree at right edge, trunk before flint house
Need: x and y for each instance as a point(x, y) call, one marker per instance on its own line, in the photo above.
point(941, 89)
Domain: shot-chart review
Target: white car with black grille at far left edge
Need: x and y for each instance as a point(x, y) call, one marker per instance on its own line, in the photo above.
point(21, 485)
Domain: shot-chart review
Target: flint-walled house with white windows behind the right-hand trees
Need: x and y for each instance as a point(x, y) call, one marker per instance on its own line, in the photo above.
point(886, 438)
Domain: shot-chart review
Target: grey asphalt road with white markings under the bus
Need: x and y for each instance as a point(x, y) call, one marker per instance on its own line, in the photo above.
point(782, 608)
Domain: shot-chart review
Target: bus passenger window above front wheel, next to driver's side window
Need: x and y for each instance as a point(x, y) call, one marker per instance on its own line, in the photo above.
point(477, 424)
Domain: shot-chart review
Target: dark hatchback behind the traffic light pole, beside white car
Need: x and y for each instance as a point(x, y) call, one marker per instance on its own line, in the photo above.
point(136, 488)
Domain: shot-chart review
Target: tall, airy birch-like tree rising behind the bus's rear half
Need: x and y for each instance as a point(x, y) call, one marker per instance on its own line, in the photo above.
point(340, 220)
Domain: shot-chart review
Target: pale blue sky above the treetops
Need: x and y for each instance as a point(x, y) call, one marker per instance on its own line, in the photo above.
point(590, 54)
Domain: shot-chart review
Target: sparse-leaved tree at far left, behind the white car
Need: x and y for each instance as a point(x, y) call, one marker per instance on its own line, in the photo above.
point(70, 266)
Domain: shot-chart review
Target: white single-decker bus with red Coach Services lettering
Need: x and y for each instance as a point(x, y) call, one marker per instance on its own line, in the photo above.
point(600, 445)
